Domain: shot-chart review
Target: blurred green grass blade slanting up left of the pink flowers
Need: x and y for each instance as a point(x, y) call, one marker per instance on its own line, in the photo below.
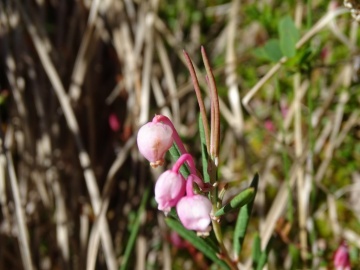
point(134, 231)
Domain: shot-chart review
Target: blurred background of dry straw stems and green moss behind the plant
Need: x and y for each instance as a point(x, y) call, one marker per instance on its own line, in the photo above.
point(78, 78)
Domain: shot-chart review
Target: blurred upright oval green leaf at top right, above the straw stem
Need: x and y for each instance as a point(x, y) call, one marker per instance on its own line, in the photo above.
point(289, 36)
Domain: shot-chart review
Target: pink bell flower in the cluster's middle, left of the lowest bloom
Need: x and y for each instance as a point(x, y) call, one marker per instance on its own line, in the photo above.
point(169, 189)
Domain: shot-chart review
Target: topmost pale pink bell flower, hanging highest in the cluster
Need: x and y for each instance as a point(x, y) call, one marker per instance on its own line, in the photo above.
point(153, 140)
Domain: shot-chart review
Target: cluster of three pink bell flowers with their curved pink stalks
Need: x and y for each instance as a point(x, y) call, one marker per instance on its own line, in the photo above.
point(154, 139)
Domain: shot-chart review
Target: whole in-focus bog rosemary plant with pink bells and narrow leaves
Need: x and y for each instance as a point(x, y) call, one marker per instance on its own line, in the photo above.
point(192, 201)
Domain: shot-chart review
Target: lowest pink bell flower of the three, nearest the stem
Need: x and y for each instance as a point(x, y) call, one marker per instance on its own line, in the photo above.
point(194, 213)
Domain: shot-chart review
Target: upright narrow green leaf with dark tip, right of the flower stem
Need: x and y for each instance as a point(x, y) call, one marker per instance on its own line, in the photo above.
point(243, 219)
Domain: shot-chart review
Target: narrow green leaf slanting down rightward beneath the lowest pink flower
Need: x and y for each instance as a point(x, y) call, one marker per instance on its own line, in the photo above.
point(197, 242)
